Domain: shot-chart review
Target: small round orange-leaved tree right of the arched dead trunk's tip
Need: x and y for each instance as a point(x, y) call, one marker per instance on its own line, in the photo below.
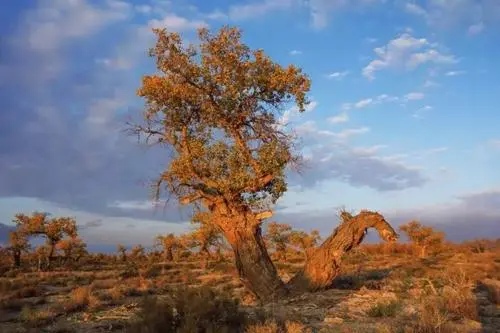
point(422, 237)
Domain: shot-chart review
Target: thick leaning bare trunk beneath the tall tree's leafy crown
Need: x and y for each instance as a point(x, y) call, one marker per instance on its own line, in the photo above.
point(254, 265)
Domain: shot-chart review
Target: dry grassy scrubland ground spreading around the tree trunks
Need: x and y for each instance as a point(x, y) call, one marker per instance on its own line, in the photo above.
point(440, 293)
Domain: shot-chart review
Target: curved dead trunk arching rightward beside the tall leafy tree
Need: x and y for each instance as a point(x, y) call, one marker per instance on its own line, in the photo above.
point(323, 263)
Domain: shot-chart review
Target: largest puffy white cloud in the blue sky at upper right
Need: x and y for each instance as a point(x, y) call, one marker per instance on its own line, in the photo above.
point(406, 52)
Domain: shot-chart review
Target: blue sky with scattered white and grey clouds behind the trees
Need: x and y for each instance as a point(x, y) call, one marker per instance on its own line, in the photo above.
point(404, 114)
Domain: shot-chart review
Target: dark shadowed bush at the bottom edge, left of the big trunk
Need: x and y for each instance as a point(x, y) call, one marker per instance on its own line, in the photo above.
point(190, 310)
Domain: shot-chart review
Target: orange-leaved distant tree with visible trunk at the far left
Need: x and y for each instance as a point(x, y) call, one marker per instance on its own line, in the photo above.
point(53, 229)
